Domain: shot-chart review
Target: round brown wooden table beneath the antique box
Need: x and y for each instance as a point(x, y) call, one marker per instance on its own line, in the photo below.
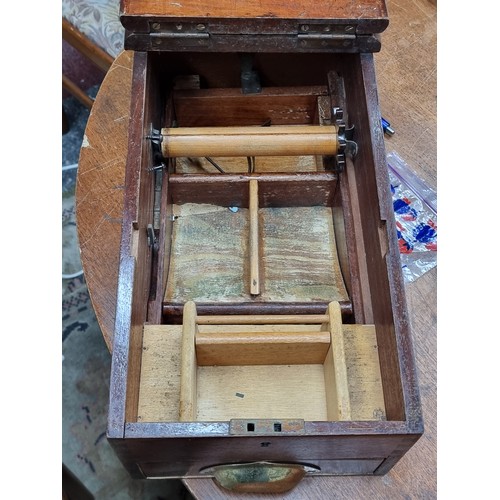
point(406, 73)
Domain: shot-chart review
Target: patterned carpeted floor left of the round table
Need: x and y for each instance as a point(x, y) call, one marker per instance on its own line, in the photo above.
point(86, 360)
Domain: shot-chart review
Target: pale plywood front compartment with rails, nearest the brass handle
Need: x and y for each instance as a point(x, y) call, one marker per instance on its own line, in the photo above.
point(308, 367)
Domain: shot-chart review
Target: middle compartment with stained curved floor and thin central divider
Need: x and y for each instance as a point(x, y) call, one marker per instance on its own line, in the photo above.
point(243, 251)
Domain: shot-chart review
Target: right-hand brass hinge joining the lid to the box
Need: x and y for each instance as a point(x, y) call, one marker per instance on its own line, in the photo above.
point(326, 35)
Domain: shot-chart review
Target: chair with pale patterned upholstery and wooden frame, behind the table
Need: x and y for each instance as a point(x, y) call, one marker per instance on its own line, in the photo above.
point(93, 28)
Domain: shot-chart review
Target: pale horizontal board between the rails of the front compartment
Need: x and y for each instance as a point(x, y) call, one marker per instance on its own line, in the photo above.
point(246, 348)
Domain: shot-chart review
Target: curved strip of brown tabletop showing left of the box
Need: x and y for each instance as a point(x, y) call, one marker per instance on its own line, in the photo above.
point(99, 190)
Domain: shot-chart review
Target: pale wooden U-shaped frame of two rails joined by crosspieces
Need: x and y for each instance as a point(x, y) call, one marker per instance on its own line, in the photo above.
point(266, 340)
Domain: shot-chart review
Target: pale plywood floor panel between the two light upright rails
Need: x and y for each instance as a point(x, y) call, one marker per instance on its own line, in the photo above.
point(272, 391)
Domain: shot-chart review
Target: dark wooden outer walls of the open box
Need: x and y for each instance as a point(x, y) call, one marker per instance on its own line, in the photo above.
point(377, 293)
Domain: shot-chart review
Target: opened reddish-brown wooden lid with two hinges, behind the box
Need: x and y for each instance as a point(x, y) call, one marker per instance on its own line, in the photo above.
point(254, 25)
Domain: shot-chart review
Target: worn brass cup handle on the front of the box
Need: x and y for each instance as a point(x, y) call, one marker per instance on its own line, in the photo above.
point(259, 477)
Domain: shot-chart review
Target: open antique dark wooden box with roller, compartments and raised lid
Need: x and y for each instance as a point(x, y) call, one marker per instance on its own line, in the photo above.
point(261, 329)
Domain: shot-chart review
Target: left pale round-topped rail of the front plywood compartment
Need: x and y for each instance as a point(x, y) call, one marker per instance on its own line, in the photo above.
point(187, 404)
